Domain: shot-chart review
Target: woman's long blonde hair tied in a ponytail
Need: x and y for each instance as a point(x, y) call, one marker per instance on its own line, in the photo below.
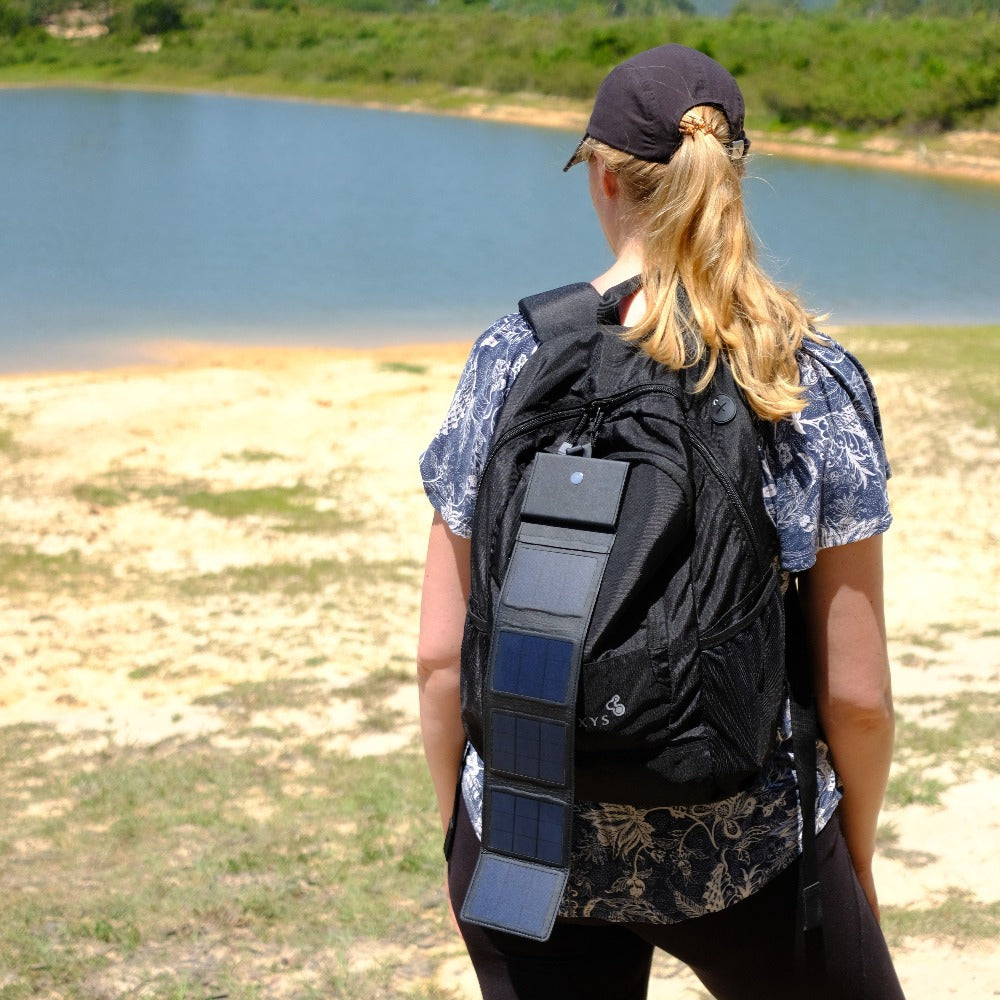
point(705, 292)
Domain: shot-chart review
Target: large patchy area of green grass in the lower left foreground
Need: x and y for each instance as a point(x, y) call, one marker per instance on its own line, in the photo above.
point(160, 859)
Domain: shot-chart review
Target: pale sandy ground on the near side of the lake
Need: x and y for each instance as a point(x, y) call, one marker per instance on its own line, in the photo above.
point(348, 426)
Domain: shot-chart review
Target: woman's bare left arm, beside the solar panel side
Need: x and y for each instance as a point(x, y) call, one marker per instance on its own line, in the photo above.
point(442, 619)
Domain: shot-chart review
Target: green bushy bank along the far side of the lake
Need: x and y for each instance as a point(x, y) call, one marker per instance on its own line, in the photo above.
point(916, 66)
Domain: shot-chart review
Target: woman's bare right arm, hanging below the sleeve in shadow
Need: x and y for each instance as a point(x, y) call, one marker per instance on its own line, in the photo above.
point(842, 601)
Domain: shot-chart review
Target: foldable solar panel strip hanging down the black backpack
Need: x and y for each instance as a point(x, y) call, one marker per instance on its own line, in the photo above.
point(541, 620)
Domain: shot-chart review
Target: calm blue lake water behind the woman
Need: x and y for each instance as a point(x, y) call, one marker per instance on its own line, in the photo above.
point(126, 217)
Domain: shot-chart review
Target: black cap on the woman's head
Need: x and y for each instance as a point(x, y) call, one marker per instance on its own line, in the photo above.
point(641, 102)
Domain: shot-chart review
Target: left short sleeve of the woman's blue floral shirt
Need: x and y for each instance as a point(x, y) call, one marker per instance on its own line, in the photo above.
point(453, 462)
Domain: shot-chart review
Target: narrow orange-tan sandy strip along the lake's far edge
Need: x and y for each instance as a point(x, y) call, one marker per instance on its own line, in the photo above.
point(961, 155)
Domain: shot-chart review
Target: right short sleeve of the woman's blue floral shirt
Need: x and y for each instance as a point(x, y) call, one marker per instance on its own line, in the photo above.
point(825, 468)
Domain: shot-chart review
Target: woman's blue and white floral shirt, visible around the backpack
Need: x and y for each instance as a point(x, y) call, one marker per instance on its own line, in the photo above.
point(824, 483)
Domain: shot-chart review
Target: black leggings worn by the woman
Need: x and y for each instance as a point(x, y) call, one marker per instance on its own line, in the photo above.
point(750, 951)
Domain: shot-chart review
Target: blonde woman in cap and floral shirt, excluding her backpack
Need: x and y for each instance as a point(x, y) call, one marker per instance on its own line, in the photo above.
point(715, 885)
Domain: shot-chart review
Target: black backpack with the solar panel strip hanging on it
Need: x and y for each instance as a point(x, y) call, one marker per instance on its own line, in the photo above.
point(626, 630)
